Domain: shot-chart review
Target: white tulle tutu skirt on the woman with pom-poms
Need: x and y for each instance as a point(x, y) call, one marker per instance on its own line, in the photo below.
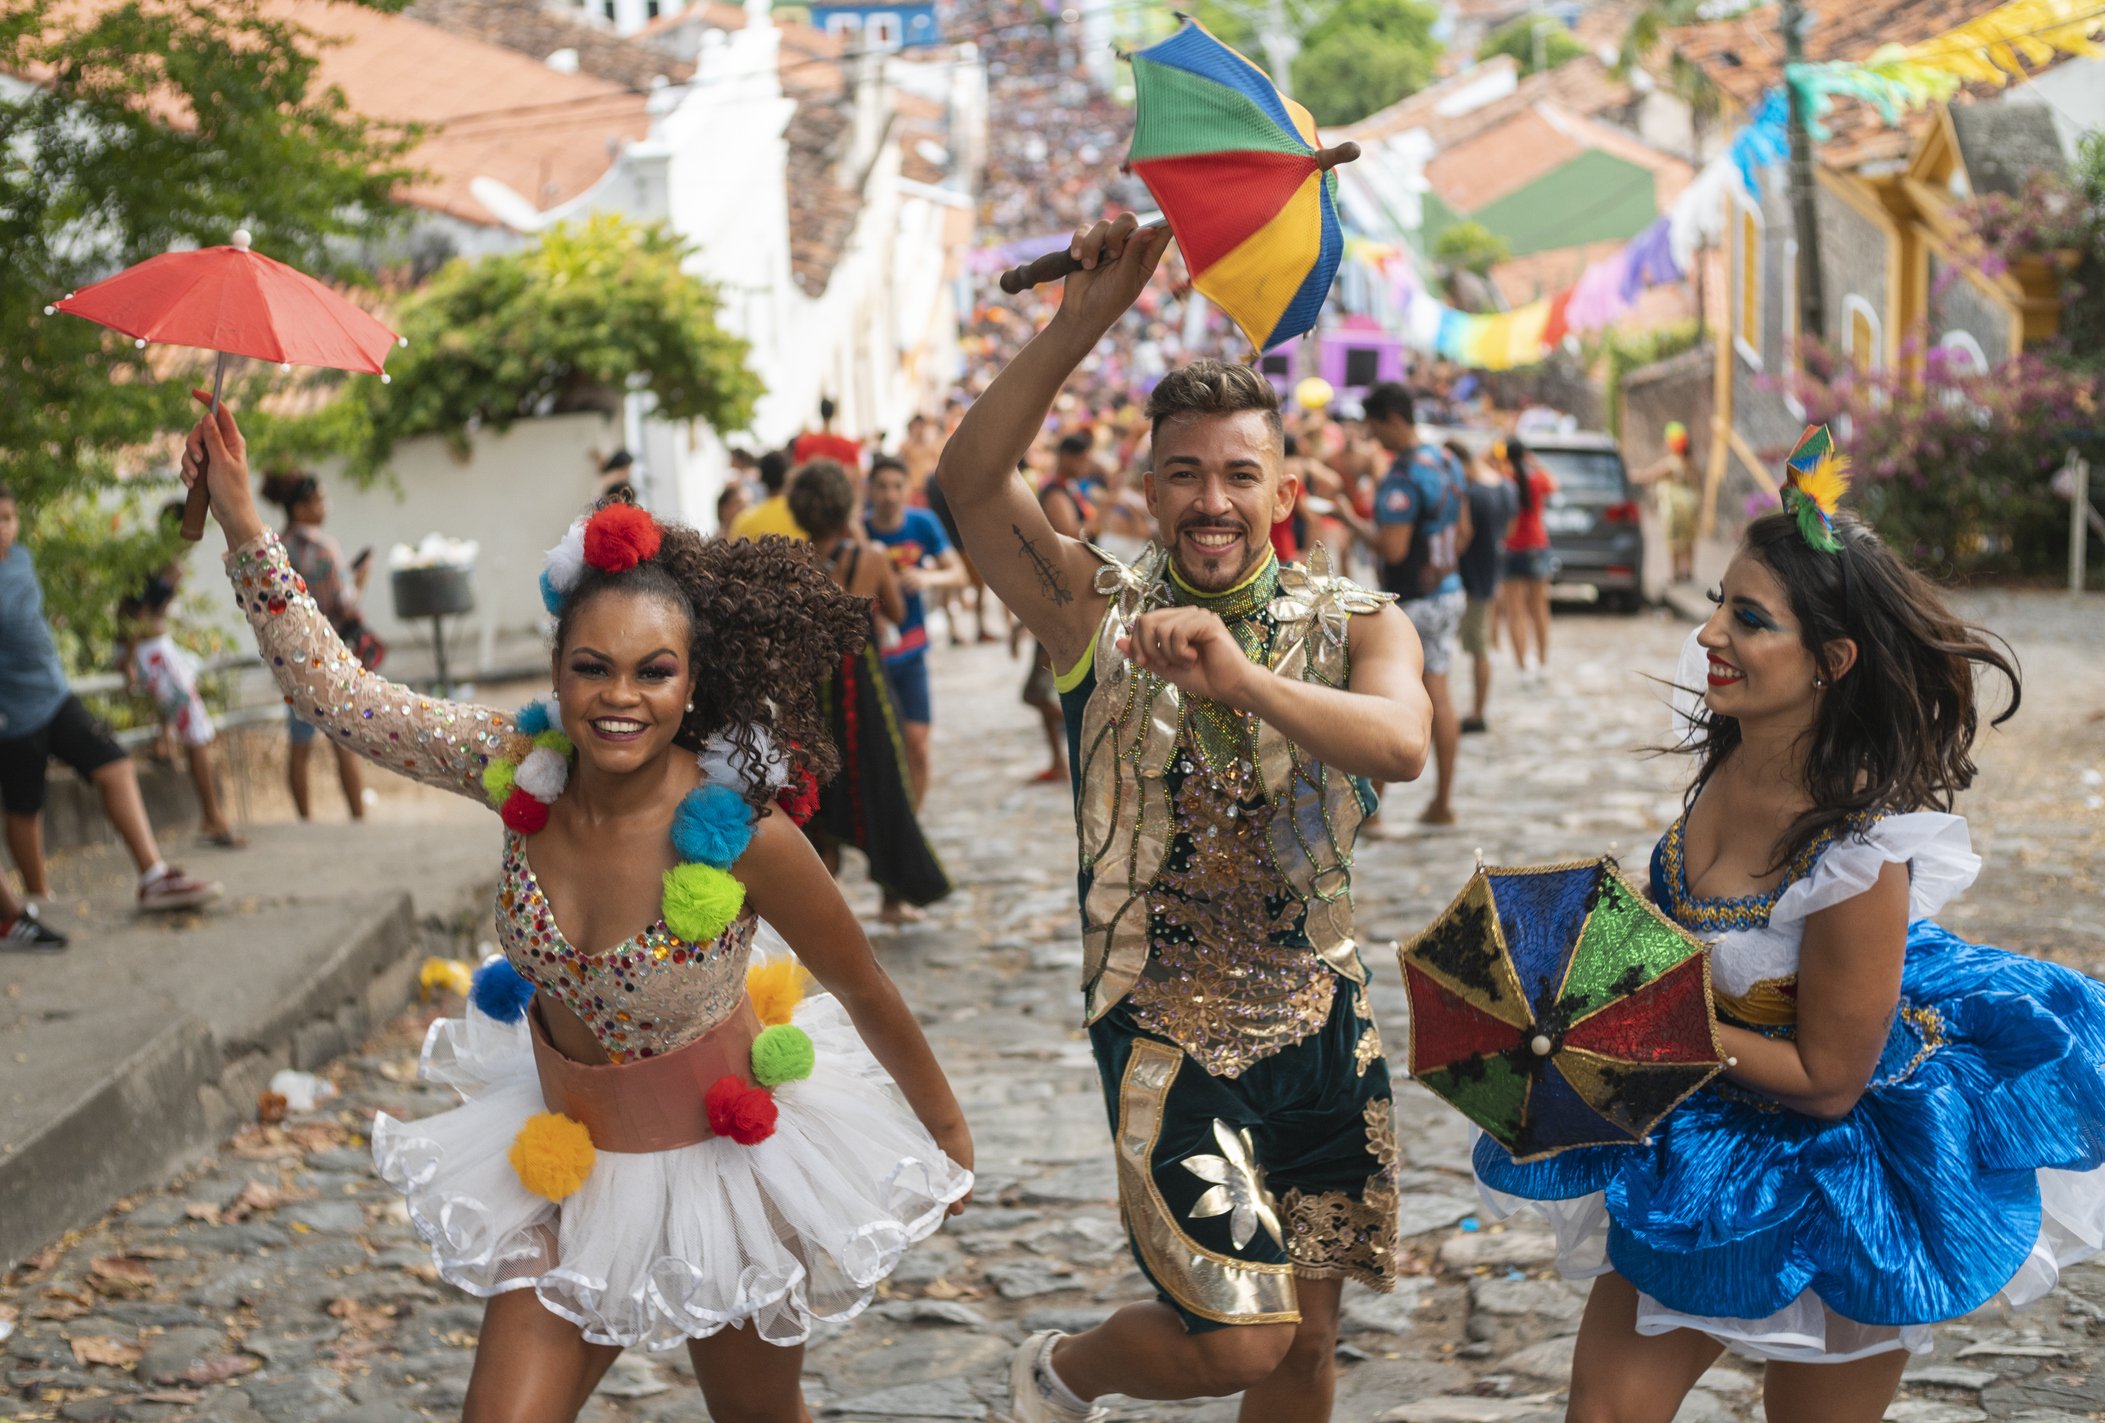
point(664, 1247)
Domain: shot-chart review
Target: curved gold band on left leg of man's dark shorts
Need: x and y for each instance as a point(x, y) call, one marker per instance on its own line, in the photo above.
point(1214, 1287)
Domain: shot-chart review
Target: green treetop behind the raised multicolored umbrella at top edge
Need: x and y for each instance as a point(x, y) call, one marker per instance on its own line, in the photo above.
point(1363, 58)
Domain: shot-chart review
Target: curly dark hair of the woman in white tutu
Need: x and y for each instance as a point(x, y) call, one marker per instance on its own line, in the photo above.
point(767, 630)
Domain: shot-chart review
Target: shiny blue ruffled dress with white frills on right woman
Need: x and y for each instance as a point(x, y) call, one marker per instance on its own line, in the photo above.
point(1969, 1169)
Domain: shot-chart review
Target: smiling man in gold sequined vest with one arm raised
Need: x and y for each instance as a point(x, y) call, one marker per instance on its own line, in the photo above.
point(1224, 717)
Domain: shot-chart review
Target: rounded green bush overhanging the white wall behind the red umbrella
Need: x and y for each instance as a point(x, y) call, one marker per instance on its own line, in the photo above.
point(595, 310)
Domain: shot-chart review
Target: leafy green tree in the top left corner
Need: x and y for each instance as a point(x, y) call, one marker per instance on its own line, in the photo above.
point(157, 125)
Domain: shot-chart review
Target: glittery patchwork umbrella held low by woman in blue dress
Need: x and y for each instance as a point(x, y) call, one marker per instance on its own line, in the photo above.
point(1559, 1009)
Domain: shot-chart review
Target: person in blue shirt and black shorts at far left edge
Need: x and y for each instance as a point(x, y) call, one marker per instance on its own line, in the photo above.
point(41, 719)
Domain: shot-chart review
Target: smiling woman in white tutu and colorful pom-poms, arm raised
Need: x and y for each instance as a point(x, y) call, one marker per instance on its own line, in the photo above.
point(660, 1142)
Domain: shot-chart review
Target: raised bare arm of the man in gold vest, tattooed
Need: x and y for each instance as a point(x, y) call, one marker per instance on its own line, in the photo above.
point(1045, 578)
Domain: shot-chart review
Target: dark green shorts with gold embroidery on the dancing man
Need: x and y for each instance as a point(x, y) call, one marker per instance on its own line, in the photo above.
point(1235, 1186)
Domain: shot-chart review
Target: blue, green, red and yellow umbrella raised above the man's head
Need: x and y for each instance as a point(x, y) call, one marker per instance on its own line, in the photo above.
point(1241, 180)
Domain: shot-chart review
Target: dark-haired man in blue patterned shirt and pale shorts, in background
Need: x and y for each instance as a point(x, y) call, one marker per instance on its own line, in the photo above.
point(1422, 527)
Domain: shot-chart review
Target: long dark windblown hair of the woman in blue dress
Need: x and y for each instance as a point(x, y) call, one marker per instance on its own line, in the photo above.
point(1896, 734)
